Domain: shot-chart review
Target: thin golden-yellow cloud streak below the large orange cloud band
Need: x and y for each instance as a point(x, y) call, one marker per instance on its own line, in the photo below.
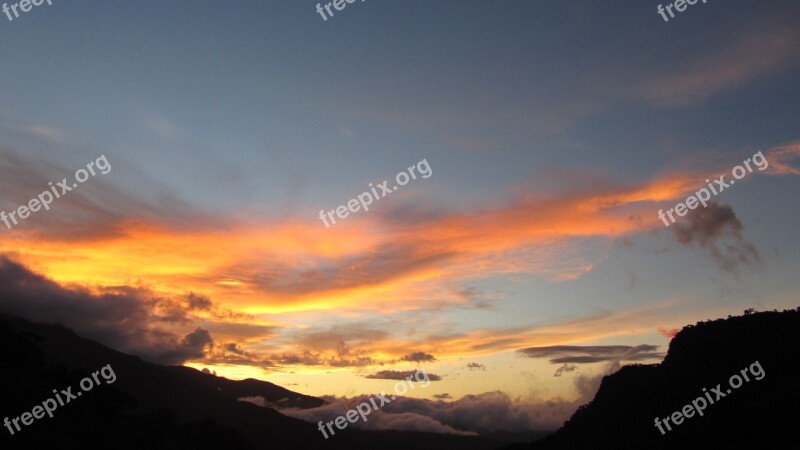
point(367, 343)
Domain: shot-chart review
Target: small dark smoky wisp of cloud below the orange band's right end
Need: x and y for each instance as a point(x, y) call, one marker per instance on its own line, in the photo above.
point(717, 230)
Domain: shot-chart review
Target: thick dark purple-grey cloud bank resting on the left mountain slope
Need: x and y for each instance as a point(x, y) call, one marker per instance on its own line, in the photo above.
point(123, 318)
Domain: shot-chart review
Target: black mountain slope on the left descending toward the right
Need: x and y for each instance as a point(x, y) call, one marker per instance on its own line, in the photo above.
point(158, 407)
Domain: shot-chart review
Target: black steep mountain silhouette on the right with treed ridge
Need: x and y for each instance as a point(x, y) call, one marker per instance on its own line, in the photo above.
point(760, 413)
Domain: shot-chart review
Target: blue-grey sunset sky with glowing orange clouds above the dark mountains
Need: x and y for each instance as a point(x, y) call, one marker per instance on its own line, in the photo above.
point(530, 261)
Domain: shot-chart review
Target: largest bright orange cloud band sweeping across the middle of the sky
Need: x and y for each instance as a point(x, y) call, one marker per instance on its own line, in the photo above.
point(369, 262)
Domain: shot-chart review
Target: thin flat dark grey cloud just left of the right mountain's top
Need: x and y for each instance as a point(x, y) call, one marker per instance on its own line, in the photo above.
point(576, 354)
